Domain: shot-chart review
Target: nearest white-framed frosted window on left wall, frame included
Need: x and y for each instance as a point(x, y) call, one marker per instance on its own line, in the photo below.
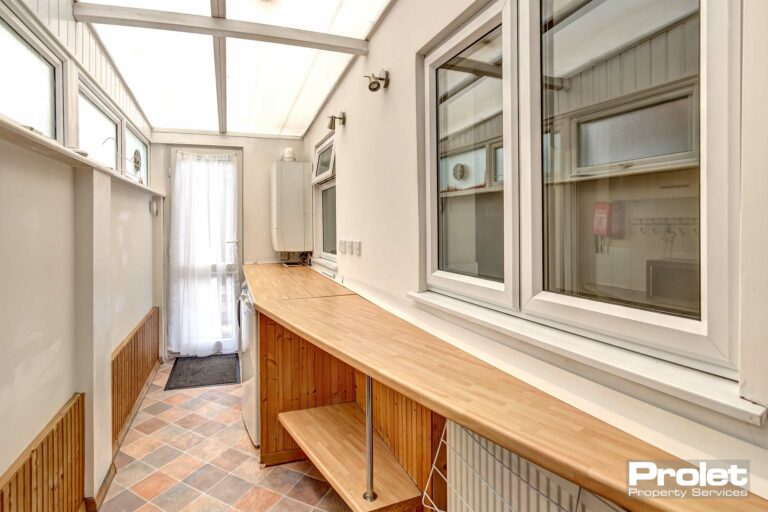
point(31, 91)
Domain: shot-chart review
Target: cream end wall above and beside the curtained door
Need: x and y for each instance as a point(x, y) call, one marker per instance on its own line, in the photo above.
point(258, 155)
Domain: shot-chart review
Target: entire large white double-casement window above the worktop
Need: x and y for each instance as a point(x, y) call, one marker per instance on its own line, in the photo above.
point(627, 190)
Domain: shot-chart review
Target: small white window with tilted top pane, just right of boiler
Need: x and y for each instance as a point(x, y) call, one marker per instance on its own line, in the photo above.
point(324, 199)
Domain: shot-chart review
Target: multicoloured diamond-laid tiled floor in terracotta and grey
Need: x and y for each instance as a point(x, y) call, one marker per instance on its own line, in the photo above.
point(187, 450)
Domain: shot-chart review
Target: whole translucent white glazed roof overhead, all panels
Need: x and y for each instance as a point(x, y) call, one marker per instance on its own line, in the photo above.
point(272, 89)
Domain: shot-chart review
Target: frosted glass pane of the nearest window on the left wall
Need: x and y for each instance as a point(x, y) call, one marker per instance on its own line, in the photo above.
point(27, 87)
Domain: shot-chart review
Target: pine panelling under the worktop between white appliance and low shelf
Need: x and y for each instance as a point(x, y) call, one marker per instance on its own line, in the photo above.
point(294, 375)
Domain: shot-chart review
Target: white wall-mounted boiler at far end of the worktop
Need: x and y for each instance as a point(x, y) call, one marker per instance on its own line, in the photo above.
point(291, 206)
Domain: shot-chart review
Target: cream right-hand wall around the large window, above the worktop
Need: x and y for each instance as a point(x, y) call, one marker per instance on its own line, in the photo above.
point(378, 160)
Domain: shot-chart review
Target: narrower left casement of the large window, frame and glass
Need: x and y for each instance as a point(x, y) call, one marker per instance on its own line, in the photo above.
point(471, 160)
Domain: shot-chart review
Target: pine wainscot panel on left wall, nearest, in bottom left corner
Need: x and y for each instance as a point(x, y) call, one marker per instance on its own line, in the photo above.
point(50, 474)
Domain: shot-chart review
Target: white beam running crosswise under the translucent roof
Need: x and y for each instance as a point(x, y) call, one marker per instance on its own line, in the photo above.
point(161, 20)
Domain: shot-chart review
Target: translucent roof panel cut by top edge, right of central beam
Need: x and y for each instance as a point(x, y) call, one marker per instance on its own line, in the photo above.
point(352, 18)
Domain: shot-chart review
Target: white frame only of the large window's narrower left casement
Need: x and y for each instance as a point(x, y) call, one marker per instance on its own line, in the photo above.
point(497, 295)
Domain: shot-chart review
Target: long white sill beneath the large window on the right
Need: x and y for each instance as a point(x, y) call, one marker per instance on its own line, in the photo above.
point(695, 387)
